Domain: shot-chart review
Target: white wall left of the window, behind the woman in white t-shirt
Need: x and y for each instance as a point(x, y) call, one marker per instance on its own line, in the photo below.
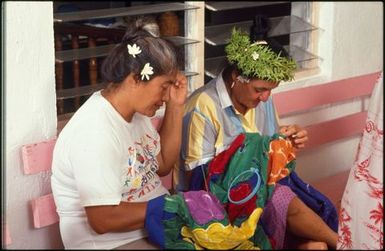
point(30, 115)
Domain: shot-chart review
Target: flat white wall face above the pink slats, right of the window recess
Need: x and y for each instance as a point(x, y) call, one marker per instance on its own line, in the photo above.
point(357, 38)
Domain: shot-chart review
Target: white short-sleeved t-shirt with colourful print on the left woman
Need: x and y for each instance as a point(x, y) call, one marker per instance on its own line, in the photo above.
point(101, 159)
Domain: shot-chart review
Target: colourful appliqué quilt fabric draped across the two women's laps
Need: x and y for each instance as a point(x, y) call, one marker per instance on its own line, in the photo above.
point(240, 180)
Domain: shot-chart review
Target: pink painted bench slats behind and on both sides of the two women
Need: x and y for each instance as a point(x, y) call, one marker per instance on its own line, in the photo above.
point(38, 157)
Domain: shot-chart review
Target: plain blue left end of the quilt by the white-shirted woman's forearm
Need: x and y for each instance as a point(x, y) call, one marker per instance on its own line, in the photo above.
point(154, 221)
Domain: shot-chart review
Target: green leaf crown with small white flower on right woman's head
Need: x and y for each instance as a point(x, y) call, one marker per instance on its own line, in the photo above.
point(258, 60)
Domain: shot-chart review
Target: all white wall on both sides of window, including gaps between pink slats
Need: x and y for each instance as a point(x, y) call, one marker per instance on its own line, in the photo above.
point(350, 44)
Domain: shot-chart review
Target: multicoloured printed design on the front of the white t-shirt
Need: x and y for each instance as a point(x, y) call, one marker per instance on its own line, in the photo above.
point(141, 169)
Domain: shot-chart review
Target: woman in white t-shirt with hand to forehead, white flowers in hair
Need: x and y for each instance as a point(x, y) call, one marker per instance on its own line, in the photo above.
point(108, 158)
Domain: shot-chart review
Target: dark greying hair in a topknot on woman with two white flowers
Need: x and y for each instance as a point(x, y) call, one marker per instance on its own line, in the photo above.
point(161, 54)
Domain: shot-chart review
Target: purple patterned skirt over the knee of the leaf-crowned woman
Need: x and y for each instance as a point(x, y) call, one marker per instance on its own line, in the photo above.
point(274, 215)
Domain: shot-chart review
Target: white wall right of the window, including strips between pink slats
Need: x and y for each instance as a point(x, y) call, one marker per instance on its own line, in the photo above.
point(350, 44)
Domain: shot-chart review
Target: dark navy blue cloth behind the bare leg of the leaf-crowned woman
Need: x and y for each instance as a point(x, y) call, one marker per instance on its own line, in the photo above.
point(315, 200)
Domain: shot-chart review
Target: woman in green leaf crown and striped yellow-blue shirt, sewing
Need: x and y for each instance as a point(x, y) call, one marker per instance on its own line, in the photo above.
point(239, 101)
